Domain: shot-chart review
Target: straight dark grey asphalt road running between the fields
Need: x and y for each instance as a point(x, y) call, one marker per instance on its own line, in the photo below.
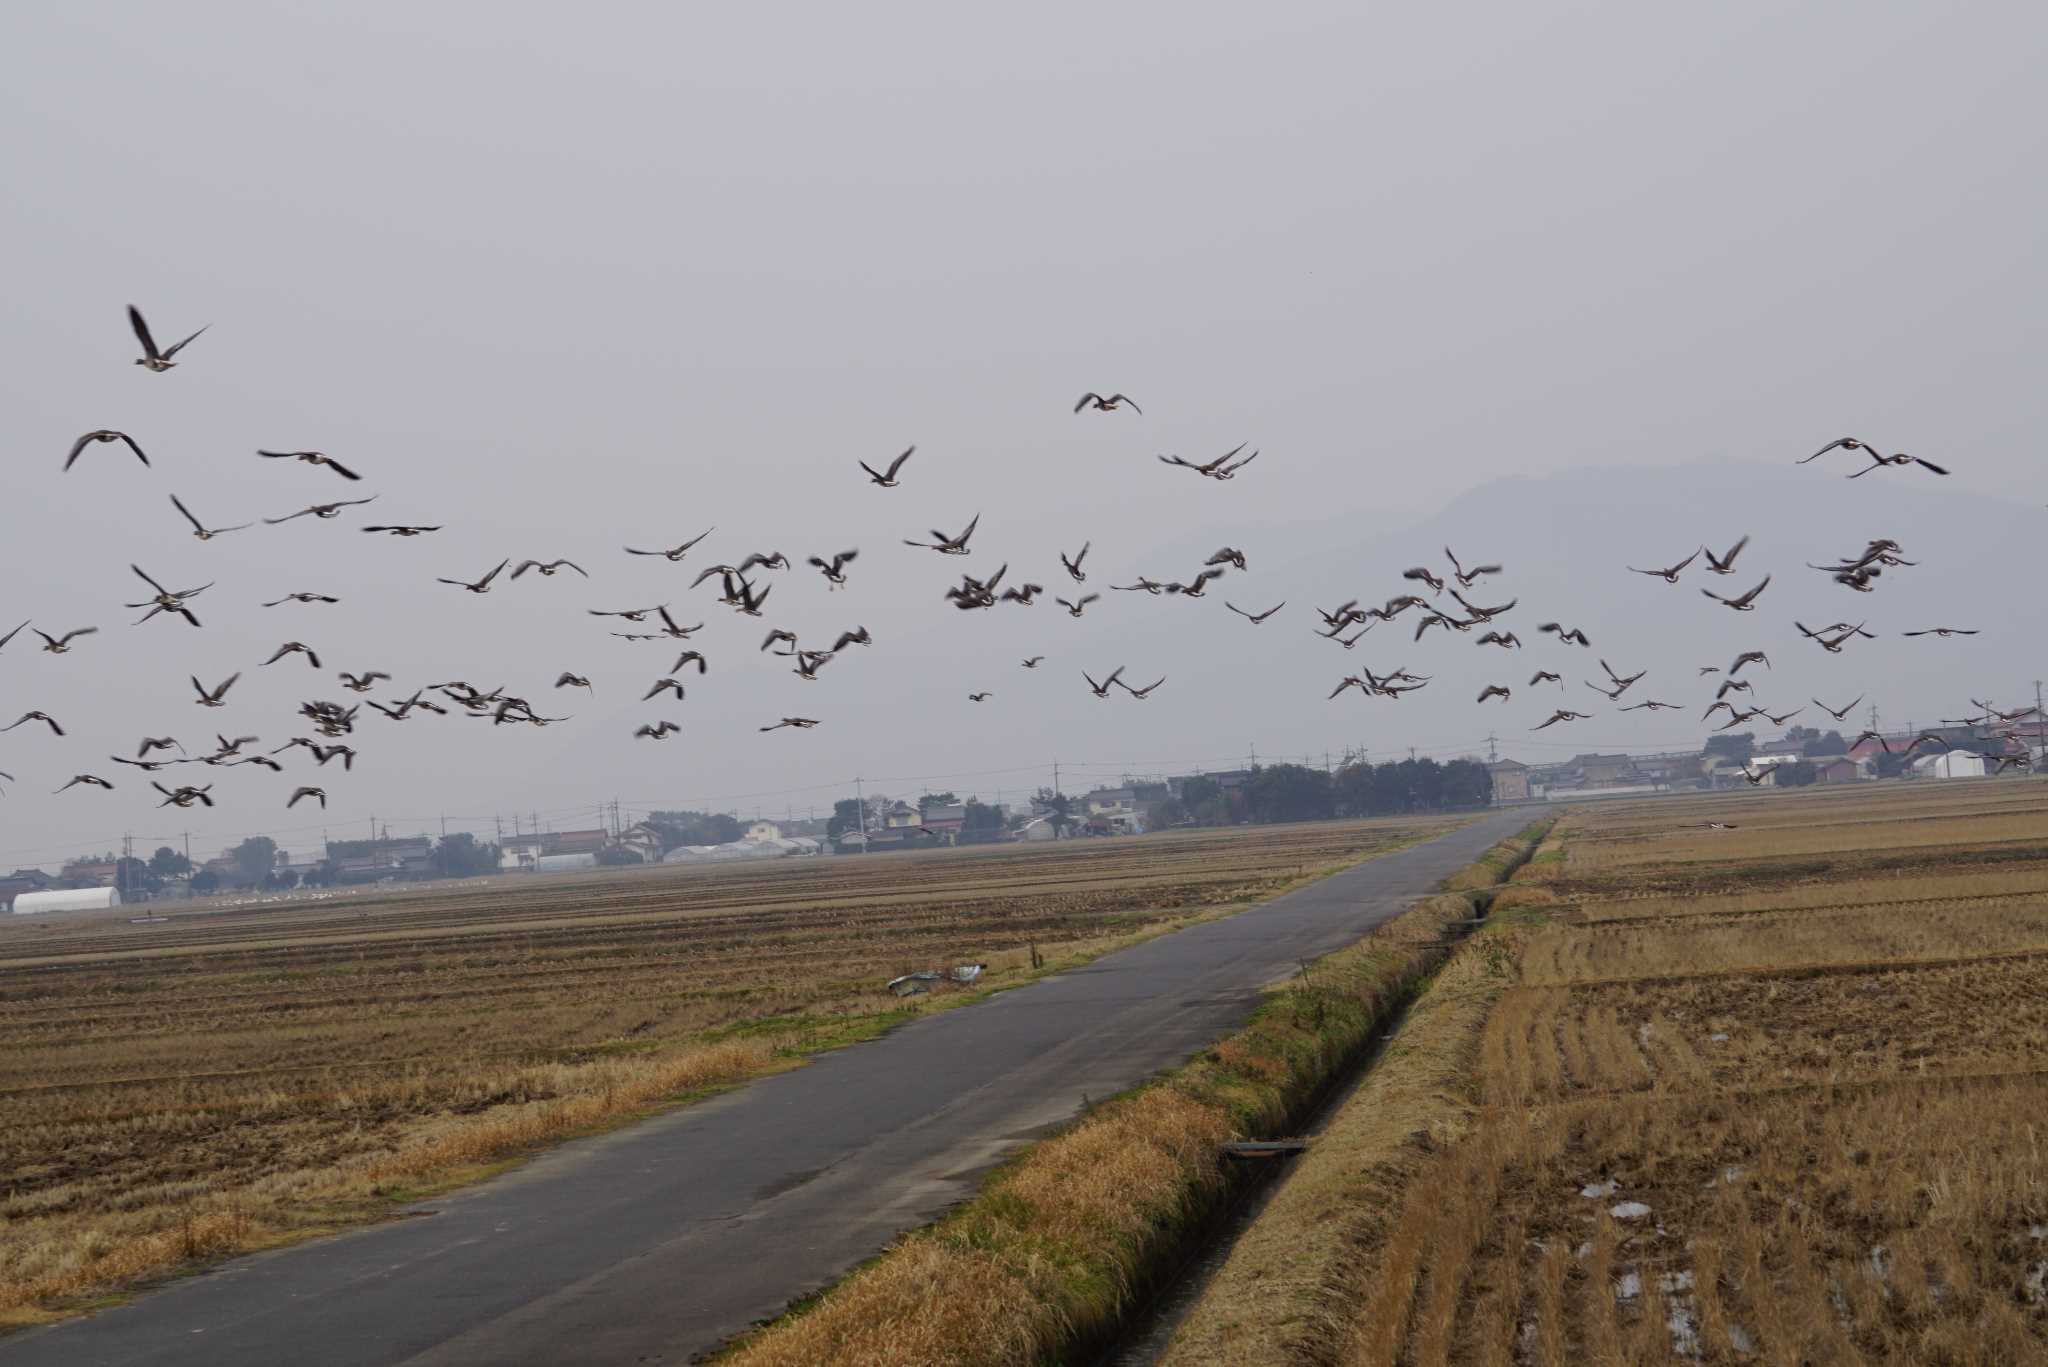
point(665, 1239)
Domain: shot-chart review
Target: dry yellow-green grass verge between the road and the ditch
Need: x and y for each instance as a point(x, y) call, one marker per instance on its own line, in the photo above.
point(1058, 1245)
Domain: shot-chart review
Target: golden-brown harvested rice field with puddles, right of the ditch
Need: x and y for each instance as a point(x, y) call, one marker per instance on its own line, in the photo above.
point(1775, 1093)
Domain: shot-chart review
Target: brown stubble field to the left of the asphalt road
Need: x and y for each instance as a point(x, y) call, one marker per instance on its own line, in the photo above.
point(228, 1079)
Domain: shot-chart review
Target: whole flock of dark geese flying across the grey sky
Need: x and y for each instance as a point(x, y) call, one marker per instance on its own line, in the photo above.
point(746, 589)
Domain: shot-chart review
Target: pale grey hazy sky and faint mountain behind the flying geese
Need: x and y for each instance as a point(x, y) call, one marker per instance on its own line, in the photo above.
point(572, 278)
